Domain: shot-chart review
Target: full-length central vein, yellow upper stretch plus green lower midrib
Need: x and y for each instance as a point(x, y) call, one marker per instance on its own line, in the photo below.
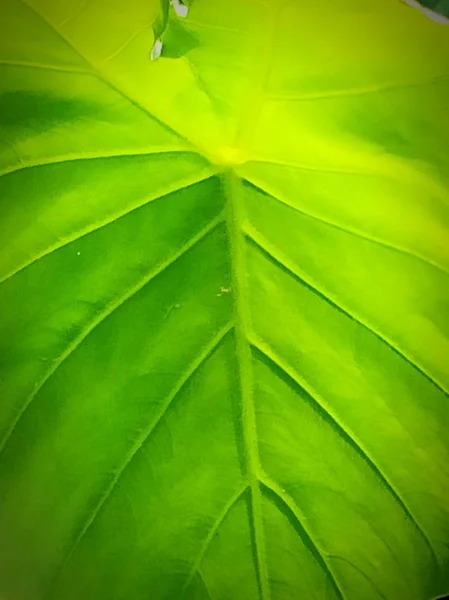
point(235, 217)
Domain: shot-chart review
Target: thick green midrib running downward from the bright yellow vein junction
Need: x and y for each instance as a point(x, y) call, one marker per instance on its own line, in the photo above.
point(231, 185)
